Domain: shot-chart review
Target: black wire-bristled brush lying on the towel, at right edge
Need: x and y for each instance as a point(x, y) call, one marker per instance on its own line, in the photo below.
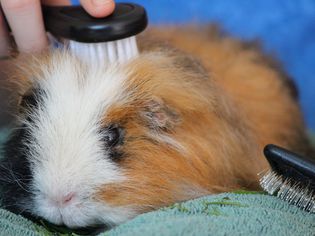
point(292, 177)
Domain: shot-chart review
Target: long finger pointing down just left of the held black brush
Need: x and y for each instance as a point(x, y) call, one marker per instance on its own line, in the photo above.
point(26, 22)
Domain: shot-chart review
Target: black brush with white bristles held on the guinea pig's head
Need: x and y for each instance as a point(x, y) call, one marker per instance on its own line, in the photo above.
point(97, 40)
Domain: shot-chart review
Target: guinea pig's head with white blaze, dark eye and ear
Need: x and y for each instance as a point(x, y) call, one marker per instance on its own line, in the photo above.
point(98, 145)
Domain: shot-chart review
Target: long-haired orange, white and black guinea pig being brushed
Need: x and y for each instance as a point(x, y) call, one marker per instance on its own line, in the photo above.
point(188, 117)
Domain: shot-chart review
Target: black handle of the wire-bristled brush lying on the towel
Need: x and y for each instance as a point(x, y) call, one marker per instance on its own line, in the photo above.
point(291, 165)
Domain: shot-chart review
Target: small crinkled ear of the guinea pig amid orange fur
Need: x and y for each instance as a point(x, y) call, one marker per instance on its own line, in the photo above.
point(159, 115)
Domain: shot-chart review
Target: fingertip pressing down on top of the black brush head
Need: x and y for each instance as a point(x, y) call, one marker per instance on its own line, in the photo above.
point(98, 8)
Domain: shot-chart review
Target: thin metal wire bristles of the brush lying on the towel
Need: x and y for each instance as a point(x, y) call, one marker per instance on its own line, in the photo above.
point(289, 190)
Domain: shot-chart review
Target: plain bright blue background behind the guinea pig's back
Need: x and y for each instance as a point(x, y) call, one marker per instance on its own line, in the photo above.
point(286, 27)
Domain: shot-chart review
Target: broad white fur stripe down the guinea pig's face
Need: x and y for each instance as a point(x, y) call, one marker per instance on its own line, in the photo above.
point(67, 152)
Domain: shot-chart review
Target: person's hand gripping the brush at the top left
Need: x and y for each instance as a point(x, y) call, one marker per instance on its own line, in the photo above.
point(26, 21)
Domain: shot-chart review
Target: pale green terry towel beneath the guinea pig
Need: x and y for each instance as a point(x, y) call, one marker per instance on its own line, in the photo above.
point(238, 213)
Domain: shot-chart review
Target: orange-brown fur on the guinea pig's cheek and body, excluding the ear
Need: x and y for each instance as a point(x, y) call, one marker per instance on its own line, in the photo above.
point(229, 109)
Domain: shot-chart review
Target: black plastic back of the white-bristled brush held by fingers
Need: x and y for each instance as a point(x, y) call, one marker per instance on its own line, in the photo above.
point(73, 23)
